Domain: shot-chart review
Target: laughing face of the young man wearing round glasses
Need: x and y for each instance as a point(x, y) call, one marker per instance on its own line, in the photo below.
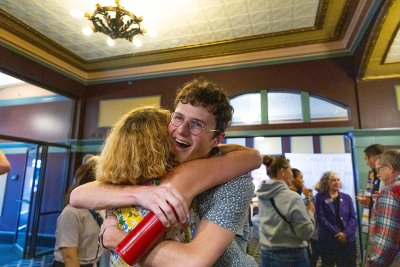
point(189, 146)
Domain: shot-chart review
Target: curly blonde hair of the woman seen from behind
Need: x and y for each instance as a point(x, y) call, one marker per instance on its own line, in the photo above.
point(139, 147)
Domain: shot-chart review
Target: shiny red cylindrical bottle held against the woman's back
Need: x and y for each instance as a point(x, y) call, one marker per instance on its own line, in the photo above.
point(140, 239)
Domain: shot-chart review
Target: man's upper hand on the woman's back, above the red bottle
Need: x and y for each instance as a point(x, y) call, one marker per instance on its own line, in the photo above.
point(164, 200)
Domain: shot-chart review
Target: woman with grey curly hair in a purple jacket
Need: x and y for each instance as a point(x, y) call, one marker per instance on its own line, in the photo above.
point(336, 222)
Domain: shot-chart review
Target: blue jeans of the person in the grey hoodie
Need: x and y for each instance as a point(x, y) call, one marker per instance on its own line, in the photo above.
point(285, 257)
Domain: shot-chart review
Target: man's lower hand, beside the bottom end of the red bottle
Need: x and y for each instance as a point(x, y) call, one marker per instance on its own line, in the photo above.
point(110, 234)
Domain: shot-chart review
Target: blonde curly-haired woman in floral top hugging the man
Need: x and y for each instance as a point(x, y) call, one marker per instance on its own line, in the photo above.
point(139, 150)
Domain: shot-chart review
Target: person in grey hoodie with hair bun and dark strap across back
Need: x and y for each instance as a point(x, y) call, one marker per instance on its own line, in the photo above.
point(286, 223)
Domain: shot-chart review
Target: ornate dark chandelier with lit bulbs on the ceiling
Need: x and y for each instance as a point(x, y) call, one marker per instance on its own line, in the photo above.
point(116, 22)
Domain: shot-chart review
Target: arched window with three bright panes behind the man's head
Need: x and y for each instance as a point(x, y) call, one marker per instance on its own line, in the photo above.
point(285, 107)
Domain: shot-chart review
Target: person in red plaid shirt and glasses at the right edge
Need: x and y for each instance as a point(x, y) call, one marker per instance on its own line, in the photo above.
point(385, 221)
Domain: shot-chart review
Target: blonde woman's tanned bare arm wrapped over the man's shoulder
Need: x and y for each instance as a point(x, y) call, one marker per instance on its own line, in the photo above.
point(193, 177)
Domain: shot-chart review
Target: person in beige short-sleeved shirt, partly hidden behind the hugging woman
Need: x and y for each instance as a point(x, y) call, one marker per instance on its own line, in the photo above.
point(78, 229)
